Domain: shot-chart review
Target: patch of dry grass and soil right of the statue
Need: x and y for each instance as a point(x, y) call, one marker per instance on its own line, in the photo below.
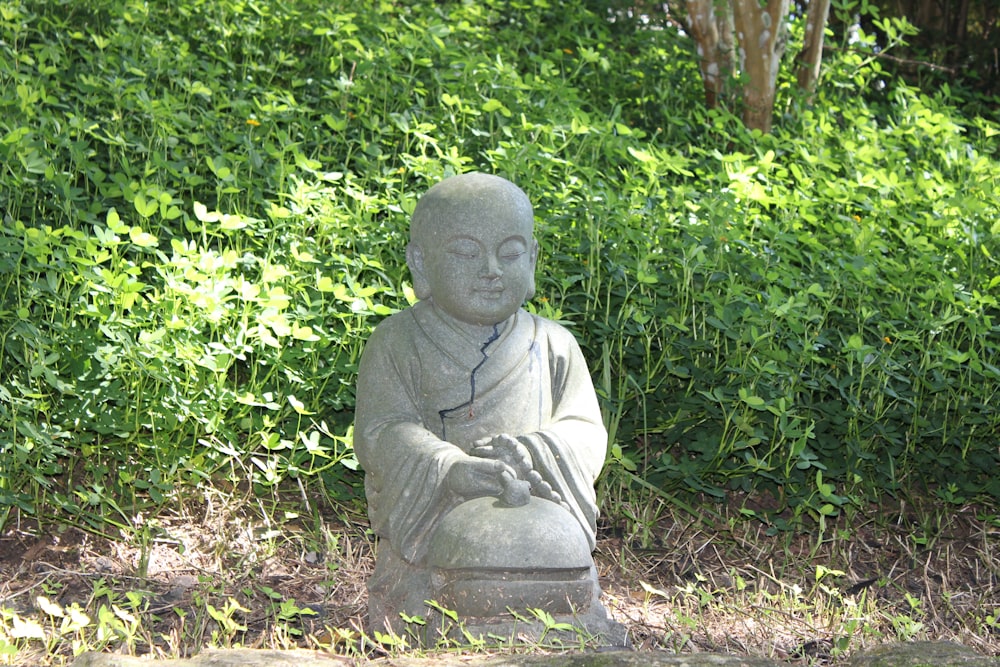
point(814, 598)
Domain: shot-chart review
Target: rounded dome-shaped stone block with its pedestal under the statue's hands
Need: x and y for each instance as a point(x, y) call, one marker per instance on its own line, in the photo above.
point(492, 564)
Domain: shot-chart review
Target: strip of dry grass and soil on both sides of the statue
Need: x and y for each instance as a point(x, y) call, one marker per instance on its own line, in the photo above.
point(680, 583)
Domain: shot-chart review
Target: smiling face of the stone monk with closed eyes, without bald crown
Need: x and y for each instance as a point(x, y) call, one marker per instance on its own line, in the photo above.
point(479, 265)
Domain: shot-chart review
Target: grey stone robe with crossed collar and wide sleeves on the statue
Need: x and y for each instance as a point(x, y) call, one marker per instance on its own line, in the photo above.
point(426, 392)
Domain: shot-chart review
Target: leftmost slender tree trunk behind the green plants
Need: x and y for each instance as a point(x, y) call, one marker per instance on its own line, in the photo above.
point(712, 29)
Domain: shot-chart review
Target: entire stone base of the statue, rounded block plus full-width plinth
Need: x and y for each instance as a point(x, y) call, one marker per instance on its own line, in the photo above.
point(502, 573)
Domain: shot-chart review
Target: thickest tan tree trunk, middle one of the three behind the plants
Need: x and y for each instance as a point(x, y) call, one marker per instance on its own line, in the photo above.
point(762, 35)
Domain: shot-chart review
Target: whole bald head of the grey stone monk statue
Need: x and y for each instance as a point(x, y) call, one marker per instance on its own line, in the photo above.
point(471, 248)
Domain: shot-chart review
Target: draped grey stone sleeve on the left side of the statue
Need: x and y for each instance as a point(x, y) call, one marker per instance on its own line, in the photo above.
point(405, 464)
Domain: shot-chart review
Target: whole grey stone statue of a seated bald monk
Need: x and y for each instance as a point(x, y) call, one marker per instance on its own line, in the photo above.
point(479, 430)
